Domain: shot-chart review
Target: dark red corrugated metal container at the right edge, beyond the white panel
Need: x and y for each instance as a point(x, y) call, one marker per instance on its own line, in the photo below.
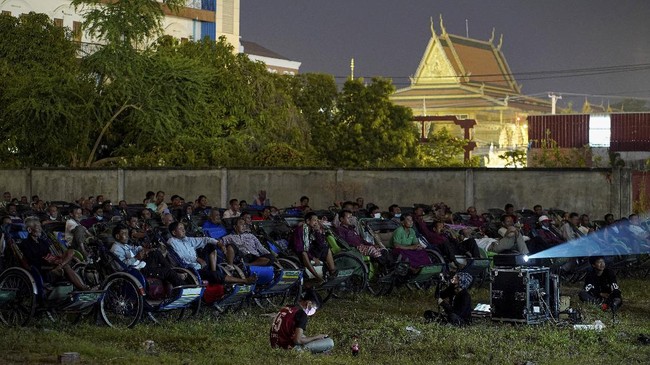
point(630, 132)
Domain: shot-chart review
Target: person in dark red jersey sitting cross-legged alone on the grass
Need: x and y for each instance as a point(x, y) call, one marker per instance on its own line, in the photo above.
point(289, 326)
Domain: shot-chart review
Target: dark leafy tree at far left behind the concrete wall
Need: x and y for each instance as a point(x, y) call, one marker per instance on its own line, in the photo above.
point(43, 95)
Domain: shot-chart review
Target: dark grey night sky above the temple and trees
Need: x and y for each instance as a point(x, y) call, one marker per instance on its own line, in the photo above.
point(388, 38)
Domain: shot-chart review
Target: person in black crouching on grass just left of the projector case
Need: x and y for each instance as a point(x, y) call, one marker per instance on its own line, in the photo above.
point(455, 301)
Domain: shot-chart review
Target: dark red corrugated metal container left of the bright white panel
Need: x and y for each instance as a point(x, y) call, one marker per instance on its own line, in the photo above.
point(569, 131)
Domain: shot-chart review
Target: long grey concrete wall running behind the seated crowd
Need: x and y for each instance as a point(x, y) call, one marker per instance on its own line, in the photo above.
point(591, 191)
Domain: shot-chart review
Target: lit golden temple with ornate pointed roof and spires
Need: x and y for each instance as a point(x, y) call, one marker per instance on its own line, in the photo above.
point(470, 79)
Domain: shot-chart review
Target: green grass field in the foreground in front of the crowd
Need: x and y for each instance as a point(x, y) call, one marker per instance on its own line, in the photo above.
point(380, 323)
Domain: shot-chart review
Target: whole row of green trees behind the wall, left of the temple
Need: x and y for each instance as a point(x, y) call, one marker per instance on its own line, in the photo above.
point(147, 100)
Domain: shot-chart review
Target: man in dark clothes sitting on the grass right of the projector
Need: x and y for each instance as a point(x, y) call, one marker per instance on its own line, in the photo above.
point(601, 286)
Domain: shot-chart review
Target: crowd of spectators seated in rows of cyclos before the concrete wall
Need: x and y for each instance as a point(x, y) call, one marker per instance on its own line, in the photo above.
point(201, 236)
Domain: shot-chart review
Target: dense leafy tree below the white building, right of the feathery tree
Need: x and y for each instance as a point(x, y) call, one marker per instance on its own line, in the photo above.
point(250, 110)
